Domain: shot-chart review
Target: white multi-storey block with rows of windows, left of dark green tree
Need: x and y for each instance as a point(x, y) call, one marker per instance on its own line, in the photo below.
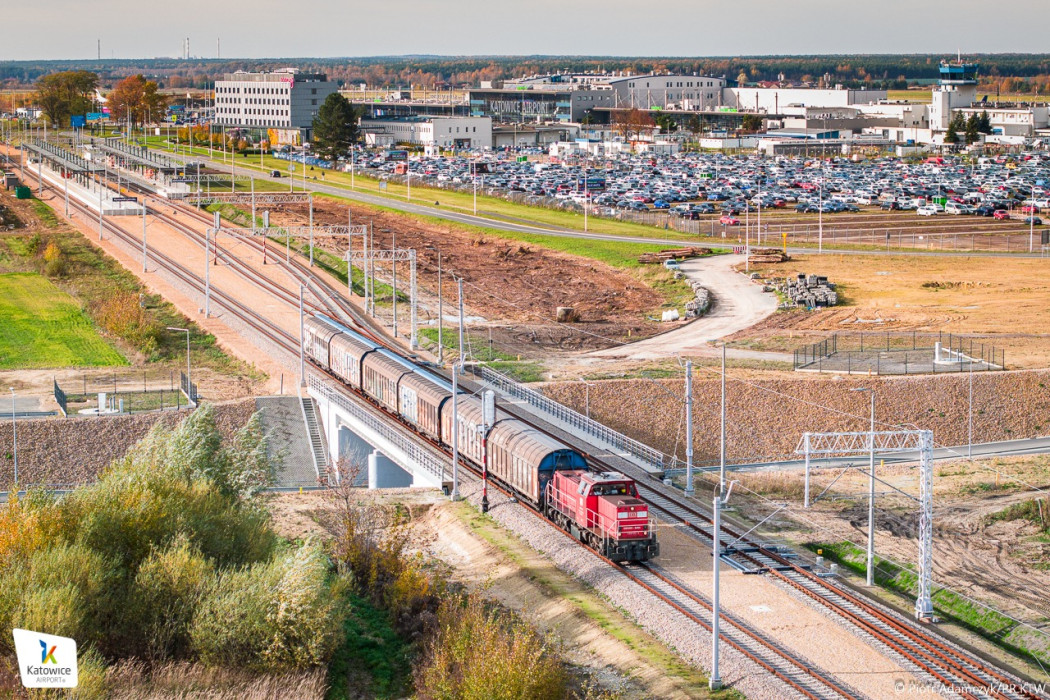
point(282, 100)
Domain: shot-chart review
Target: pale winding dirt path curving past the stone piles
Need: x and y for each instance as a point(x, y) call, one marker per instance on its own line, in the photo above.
point(739, 305)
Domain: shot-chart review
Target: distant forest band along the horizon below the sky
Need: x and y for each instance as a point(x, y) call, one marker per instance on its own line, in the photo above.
point(1028, 73)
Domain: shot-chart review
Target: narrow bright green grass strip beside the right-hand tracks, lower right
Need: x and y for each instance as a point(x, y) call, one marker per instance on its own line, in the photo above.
point(984, 622)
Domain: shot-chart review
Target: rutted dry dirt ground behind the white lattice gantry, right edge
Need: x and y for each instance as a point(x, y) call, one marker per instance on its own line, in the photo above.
point(1005, 564)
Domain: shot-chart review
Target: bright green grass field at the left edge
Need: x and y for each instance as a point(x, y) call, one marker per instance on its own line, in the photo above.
point(44, 327)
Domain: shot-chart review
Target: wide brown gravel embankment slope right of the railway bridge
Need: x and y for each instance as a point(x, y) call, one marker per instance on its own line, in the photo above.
point(766, 419)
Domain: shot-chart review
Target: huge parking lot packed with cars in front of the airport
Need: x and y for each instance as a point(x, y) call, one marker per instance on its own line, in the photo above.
point(937, 204)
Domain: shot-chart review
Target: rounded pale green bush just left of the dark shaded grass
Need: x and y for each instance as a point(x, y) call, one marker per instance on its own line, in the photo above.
point(279, 616)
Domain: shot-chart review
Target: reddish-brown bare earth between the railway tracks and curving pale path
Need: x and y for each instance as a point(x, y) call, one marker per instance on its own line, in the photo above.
point(506, 281)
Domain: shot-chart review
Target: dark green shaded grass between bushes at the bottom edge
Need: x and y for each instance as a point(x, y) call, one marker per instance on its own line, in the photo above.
point(372, 662)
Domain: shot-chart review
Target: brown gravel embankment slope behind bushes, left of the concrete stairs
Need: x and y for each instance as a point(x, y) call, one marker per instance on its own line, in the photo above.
point(73, 451)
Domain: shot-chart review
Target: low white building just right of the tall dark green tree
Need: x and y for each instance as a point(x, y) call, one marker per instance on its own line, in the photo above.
point(446, 133)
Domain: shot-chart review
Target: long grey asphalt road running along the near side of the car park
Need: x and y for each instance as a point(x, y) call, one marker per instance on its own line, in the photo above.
point(535, 228)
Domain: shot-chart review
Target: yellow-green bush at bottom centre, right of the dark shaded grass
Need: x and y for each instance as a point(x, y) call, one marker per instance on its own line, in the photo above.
point(481, 654)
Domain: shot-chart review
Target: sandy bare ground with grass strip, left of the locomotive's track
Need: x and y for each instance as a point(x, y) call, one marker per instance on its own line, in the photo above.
point(481, 556)
